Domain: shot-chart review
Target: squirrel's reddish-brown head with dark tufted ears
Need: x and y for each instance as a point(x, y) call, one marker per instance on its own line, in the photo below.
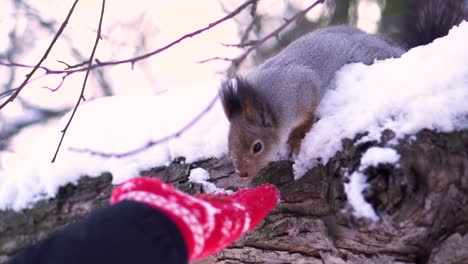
point(253, 137)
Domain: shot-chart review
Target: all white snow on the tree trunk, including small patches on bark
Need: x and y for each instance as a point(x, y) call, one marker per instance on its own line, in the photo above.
point(426, 88)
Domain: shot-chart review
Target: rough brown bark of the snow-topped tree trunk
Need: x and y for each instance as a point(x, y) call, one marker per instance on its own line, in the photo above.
point(423, 204)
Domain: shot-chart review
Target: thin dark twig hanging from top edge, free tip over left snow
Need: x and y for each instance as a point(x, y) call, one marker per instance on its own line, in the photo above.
point(81, 97)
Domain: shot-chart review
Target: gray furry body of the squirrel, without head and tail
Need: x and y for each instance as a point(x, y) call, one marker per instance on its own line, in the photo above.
point(294, 81)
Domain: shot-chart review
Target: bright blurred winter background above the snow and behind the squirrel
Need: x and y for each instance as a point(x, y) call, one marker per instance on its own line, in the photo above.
point(133, 28)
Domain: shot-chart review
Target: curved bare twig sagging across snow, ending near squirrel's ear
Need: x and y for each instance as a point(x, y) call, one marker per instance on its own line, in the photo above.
point(150, 143)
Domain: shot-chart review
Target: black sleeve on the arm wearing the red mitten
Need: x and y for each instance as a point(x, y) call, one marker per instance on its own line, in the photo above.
point(127, 232)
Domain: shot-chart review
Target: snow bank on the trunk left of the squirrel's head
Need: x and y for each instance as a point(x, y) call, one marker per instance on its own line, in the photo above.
point(117, 125)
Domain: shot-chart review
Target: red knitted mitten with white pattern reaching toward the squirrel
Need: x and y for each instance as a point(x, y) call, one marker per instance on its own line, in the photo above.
point(208, 222)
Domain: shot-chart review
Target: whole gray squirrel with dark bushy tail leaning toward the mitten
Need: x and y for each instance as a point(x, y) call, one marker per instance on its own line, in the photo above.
point(272, 108)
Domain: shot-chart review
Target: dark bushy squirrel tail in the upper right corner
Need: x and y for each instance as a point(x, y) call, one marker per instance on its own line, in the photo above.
point(426, 20)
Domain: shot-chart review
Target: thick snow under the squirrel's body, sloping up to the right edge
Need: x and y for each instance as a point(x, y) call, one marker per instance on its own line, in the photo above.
point(425, 88)
